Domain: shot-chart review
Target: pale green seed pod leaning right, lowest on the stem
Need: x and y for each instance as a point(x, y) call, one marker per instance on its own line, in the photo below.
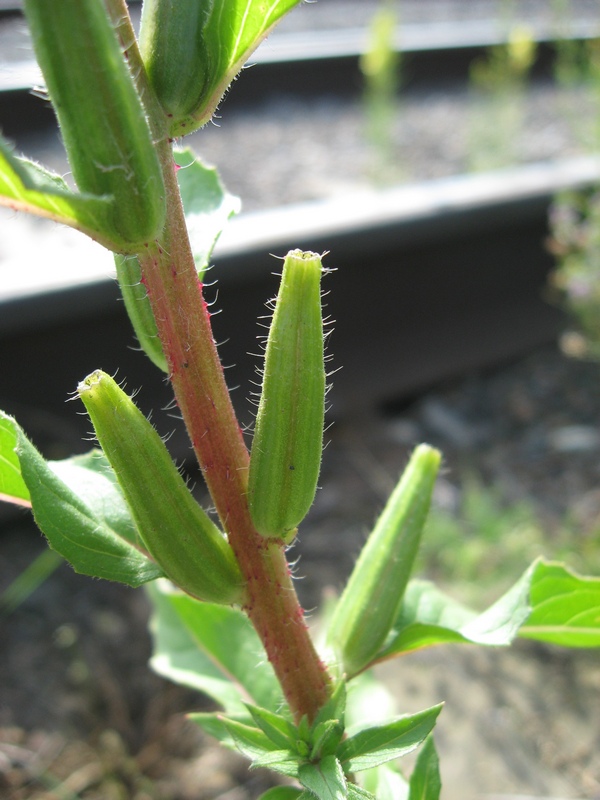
point(372, 597)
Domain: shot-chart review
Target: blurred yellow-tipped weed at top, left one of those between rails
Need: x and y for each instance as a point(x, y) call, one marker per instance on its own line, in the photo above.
point(380, 66)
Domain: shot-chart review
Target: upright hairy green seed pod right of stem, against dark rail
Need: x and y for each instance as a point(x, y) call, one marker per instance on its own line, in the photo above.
point(286, 450)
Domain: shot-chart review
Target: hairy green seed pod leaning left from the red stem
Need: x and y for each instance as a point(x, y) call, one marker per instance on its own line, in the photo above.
point(176, 531)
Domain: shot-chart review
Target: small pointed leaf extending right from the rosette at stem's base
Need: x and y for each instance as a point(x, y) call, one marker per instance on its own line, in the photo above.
point(373, 746)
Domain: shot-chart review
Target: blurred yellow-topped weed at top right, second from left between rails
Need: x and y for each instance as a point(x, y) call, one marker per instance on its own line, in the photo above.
point(498, 84)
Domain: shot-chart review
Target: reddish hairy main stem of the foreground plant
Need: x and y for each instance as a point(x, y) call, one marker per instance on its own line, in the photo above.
point(196, 374)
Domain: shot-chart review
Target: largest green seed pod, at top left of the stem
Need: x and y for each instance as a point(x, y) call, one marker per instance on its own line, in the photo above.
point(102, 121)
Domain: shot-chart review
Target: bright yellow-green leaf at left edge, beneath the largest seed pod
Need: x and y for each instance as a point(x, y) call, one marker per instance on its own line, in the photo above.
point(26, 186)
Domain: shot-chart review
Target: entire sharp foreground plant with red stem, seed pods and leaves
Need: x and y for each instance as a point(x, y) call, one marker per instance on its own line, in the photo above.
point(227, 620)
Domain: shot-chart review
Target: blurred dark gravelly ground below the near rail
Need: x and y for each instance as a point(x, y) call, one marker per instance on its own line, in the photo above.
point(81, 715)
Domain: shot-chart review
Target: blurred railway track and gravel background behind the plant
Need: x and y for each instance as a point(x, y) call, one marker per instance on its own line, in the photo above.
point(445, 153)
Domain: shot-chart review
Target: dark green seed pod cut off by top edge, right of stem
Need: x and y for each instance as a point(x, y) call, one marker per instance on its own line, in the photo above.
point(174, 53)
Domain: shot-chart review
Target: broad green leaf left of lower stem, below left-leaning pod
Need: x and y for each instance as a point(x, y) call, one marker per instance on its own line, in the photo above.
point(211, 648)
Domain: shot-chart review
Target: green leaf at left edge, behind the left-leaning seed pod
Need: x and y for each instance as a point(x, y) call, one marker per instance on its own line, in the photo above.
point(83, 515)
